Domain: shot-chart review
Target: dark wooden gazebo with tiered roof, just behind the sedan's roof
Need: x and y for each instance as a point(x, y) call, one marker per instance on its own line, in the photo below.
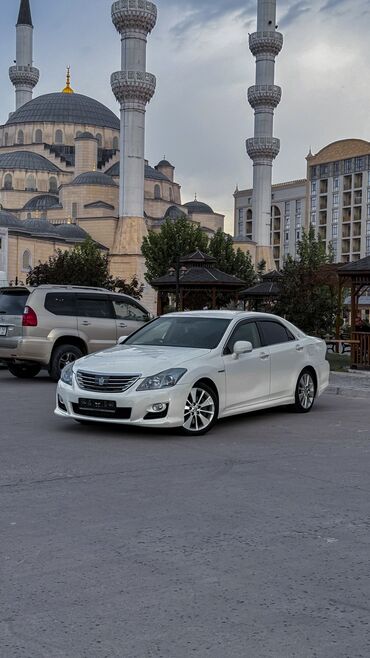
point(195, 274)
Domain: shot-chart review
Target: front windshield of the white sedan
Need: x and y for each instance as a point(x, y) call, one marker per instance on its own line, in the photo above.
point(204, 333)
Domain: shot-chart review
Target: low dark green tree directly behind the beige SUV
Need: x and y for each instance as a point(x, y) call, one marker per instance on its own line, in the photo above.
point(84, 265)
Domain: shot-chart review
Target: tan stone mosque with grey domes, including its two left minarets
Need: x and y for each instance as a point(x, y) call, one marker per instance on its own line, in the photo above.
point(62, 156)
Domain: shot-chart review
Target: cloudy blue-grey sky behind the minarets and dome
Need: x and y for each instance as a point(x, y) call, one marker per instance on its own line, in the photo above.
point(199, 117)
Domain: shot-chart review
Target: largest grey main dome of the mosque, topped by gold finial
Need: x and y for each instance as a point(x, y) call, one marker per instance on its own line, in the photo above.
point(65, 108)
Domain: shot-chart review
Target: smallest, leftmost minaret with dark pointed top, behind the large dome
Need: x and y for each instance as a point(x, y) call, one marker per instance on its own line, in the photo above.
point(23, 75)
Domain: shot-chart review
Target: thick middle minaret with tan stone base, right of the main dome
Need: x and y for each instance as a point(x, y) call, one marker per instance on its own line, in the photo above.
point(133, 87)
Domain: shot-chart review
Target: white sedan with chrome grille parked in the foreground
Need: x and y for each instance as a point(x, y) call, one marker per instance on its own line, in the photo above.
point(189, 369)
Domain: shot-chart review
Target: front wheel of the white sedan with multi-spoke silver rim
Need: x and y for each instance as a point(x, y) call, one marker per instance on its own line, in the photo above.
point(201, 410)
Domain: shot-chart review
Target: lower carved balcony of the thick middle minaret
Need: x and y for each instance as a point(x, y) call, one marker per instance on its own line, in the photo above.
point(133, 86)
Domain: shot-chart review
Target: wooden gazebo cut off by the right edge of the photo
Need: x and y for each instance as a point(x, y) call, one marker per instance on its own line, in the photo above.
point(356, 276)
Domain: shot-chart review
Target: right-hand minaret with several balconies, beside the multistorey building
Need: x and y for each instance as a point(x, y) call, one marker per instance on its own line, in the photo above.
point(264, 97)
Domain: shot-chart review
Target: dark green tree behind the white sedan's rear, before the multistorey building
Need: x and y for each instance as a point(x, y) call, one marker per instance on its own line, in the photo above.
point(307, 298)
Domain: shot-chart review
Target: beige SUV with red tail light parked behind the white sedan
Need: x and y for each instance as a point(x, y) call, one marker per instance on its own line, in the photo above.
point(51, 326)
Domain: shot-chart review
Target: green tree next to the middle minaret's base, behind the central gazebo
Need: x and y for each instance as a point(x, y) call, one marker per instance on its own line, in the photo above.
point(175, 239)
